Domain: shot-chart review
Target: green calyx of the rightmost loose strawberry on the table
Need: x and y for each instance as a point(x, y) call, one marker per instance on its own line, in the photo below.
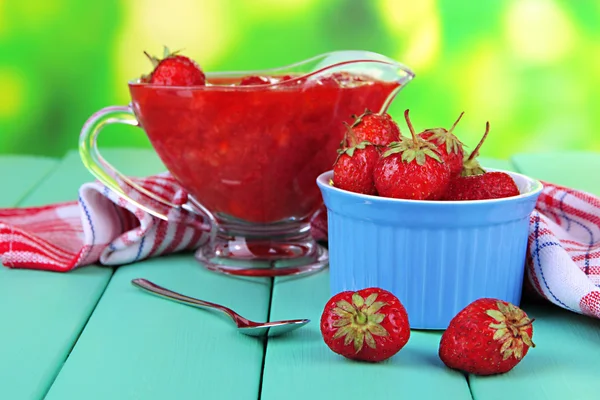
point(510, 328)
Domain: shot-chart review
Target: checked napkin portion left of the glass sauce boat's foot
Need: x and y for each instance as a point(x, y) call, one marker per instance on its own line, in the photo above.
point(100, 227)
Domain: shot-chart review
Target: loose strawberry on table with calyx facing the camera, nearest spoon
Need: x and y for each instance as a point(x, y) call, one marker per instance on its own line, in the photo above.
point(369, 325)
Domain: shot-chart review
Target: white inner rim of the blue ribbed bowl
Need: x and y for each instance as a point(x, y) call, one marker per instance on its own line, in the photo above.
point(535, 185)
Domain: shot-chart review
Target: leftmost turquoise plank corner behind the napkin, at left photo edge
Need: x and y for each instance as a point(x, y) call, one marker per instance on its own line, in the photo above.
point(20, 174)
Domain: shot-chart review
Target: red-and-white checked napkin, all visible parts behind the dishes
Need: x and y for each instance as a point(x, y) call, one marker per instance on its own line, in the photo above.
point(562, 265)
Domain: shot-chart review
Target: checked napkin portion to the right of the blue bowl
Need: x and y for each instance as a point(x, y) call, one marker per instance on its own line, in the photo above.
point(563, 260)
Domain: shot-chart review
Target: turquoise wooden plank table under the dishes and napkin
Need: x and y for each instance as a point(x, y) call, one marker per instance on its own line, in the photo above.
point(89, 334)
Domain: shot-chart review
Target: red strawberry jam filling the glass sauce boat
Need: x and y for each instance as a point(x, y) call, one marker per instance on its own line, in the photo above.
point(254, 152)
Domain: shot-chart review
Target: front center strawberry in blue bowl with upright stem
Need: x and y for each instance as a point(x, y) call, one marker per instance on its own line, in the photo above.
point(411, 169)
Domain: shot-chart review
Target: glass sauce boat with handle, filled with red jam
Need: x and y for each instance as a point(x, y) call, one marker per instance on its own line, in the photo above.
point(248, 156)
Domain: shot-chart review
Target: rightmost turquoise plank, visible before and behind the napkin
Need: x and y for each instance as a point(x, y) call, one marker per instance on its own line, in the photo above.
point(566, 360)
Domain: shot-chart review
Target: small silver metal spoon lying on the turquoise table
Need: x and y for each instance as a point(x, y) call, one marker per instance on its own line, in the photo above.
point(244, 325)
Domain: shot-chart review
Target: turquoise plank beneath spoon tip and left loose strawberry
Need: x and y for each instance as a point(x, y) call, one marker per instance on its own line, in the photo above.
point(301, 366)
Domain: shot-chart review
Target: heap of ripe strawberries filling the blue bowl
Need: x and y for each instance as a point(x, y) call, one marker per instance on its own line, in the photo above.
point(376, 159)
